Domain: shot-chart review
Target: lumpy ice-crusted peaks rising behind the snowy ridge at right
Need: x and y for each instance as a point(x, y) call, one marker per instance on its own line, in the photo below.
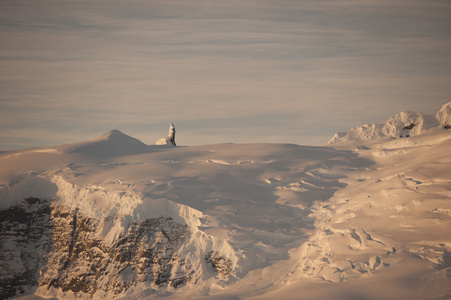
point(404, 124)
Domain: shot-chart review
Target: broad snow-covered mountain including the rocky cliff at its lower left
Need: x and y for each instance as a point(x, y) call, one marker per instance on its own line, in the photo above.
point(115, 218)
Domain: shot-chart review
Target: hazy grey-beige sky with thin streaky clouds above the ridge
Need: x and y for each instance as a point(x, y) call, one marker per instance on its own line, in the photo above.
point(235, 71)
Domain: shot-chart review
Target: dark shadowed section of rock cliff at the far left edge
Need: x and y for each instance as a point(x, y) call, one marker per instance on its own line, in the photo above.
point(25, 235)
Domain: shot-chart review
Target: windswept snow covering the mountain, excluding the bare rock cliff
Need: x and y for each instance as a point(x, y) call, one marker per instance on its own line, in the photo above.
point(362, 220)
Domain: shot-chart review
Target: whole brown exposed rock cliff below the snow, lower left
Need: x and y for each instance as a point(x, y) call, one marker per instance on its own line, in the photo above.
point(50, 247)
